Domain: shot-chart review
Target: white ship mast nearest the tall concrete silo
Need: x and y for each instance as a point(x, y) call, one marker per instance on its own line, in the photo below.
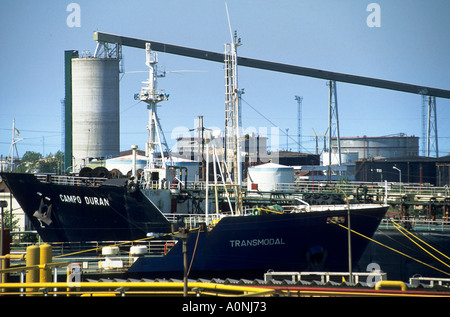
point(152, 96)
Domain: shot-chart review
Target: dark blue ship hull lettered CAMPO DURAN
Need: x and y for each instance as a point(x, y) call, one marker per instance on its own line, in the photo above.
point(78, 211)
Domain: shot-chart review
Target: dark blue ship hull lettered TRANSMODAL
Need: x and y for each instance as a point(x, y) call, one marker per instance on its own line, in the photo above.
point(249, 246)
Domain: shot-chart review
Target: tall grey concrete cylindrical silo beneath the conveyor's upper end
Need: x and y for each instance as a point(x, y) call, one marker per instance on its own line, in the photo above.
point(95, 109)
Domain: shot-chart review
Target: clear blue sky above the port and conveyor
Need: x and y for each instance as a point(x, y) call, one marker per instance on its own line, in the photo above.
point(412, 45)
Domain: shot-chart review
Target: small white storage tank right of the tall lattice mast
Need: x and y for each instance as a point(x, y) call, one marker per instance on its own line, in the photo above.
point(267, 177)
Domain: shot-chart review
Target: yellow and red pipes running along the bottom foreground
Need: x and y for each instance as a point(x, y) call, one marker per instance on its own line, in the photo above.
point(222, 288)
